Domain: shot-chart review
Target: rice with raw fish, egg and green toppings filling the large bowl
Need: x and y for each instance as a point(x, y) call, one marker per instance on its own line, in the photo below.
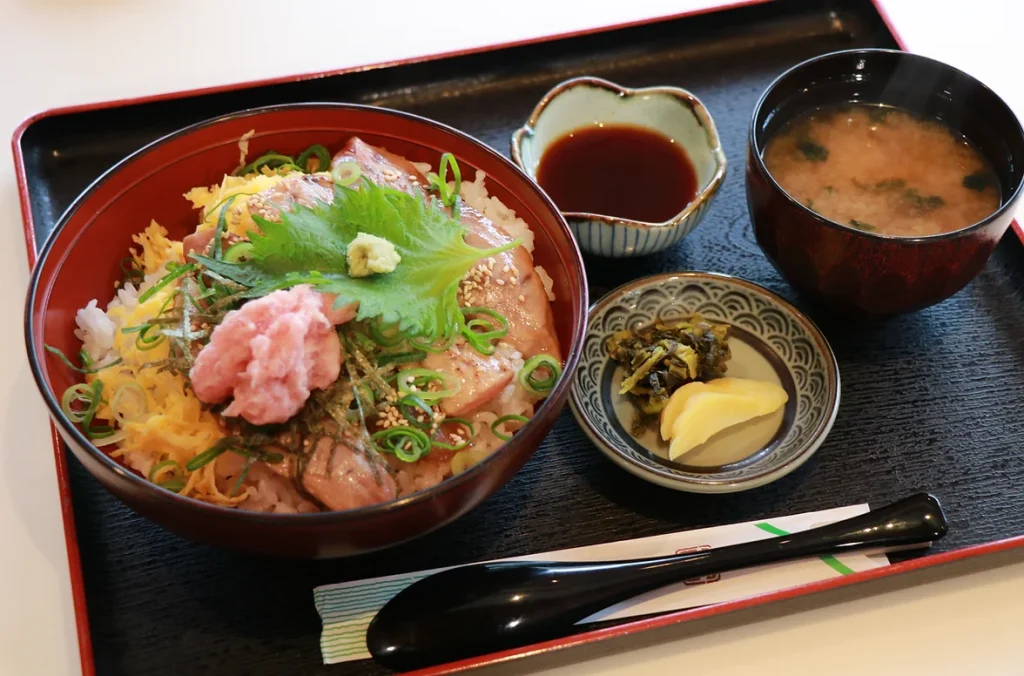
point(339, 331)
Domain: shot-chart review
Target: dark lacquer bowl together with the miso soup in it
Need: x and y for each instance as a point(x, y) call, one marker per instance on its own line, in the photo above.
point(879, 182)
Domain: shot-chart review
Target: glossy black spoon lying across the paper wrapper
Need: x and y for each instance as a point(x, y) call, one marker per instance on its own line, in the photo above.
point(484, 608)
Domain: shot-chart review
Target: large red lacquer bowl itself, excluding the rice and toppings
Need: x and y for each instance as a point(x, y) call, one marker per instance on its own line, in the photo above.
point(81, 262)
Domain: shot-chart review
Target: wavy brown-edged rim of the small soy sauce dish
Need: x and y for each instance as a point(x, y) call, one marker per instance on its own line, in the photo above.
point(684, 96)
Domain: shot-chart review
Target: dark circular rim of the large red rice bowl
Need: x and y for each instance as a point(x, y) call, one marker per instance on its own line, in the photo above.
point(339, 518)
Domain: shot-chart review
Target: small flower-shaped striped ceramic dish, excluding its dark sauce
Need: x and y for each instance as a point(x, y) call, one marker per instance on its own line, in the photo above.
point(670, 111)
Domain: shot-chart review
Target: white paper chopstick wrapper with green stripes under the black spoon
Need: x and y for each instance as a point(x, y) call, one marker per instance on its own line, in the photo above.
point(348, 609)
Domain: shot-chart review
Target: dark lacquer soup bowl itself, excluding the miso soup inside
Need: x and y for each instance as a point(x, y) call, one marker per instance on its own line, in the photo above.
point(866, 273)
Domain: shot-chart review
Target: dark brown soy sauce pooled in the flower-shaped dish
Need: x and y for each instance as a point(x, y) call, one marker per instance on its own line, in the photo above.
point(619, 171)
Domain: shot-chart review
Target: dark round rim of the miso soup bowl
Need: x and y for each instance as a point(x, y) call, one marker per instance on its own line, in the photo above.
point(1008, 204)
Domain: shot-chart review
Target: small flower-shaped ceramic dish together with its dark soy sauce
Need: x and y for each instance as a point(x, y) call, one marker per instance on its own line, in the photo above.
point(632, 171)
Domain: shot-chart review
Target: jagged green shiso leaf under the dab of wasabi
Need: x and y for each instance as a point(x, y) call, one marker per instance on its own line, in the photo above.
point(310, 246)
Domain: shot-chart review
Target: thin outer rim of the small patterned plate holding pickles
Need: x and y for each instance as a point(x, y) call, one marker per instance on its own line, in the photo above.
point(711, 486)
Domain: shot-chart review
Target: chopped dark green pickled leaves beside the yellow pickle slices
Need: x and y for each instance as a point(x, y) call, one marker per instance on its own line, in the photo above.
point(662, 358)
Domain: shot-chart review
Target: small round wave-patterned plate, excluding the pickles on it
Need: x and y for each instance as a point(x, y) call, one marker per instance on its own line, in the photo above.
point(771, 341)
